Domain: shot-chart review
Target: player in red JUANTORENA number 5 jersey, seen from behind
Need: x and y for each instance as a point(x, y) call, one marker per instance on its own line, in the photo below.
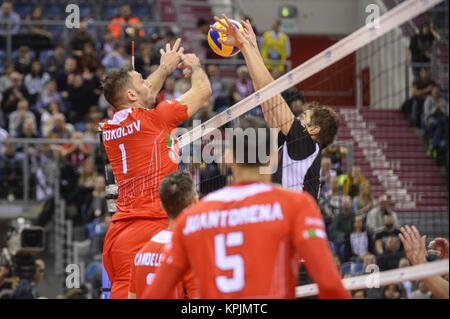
point(245, 240)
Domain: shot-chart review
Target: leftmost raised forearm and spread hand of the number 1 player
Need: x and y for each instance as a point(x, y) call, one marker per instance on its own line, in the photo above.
point(170, 59)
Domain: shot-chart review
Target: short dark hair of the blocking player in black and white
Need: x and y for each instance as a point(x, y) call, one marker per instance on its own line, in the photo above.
point(327, 120)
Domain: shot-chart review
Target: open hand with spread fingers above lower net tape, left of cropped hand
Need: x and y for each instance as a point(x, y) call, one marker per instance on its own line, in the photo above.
point(415, 246)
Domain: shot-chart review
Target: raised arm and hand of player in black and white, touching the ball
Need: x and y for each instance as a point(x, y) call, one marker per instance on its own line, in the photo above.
point(276, 111)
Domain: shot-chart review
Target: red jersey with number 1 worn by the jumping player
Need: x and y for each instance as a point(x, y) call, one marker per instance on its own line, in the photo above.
point(142, 150)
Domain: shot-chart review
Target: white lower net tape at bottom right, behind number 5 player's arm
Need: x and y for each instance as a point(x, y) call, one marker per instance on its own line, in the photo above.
point(383, 278)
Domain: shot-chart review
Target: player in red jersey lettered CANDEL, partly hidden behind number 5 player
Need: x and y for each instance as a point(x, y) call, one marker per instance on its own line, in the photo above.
point(177, 191)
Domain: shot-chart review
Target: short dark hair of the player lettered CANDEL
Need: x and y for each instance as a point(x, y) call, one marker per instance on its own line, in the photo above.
point(177, 191)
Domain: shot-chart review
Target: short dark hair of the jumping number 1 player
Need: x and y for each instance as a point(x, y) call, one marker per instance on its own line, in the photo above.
point(114, 84)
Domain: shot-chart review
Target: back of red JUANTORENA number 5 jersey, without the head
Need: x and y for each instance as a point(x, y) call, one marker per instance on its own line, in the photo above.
point(240, 240)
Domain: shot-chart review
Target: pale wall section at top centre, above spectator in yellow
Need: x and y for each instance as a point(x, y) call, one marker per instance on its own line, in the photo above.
point(313, 16)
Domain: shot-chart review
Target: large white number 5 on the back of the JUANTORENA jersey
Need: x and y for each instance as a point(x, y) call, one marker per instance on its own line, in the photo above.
point(231, 262)
